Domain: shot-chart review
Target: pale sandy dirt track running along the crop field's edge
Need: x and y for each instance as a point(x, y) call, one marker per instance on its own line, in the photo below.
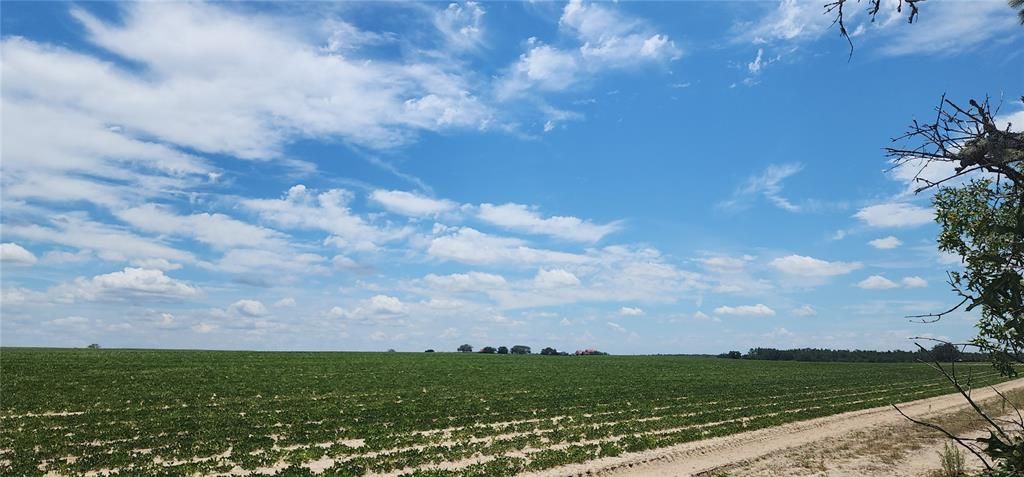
point(706, 456)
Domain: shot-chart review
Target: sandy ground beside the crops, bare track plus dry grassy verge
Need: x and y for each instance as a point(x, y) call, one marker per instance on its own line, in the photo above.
point(870, 443)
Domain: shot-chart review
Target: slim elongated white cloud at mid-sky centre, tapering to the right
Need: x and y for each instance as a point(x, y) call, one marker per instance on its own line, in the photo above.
point(522, 219)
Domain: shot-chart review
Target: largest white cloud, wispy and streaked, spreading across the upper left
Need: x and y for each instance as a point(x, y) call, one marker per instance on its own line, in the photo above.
point(225, 82)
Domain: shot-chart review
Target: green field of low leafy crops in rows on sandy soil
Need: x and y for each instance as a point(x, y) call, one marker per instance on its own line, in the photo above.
point(198, 413)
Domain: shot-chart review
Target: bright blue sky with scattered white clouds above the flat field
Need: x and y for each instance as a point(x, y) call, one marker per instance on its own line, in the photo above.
point(675, 178)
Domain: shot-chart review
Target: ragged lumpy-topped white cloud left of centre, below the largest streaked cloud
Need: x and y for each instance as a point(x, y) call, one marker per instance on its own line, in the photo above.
point(328, 211)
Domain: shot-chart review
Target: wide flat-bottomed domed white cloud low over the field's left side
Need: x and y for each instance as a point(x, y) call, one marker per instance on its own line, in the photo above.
point(131, 284)
